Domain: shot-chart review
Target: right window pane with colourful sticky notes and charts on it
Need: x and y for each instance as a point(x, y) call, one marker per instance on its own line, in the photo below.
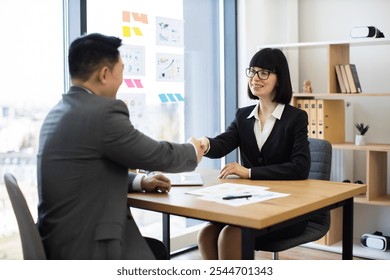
point(173, 79)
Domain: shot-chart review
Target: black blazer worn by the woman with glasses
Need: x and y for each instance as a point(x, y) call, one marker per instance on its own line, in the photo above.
point(284, 156)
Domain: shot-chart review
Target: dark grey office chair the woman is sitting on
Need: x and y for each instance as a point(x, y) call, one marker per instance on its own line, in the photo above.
point(318, 226)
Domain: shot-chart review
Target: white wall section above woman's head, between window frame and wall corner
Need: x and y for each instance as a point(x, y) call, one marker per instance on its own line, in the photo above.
point(262, 22)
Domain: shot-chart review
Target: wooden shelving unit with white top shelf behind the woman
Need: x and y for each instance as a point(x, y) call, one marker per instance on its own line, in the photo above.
point(376, 154)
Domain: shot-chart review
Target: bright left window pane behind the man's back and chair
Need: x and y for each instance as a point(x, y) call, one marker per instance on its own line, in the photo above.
point(32, 82)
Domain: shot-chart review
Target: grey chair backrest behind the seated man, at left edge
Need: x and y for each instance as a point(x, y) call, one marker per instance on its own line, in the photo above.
point(32, 246)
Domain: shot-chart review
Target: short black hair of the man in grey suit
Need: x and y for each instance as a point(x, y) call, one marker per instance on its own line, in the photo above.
point(89, 52)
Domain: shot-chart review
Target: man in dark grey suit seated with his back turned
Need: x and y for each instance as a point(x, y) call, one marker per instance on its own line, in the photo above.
point(87, 145)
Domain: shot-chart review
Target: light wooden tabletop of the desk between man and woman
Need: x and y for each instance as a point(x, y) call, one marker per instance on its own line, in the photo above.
point(305, 196)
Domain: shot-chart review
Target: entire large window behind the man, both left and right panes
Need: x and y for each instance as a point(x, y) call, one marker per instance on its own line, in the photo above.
point(169, 105)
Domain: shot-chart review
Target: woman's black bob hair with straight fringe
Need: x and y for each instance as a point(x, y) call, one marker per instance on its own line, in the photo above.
point(275, 61)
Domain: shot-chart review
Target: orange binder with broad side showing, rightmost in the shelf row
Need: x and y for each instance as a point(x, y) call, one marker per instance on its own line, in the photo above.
point(331, 120)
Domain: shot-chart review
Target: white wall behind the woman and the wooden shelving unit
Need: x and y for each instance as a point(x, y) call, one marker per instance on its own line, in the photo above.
point(284, 21)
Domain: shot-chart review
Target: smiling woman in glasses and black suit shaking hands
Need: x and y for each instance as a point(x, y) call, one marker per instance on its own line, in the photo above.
point(272, 138)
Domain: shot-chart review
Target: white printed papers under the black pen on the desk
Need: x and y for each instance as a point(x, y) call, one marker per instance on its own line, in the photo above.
point(217, 192)
